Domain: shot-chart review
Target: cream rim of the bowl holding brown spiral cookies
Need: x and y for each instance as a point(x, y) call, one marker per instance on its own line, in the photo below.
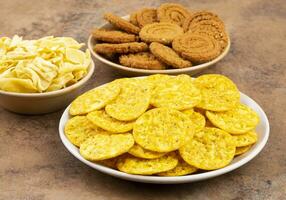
point(148, 71)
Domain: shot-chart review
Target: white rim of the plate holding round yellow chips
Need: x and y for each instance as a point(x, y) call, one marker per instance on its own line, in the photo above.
point(167, 180)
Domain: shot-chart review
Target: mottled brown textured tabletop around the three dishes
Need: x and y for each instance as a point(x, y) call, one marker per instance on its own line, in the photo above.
point(34, 165)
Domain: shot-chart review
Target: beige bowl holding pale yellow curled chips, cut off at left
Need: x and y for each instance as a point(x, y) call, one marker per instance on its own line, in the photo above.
point(40, 103)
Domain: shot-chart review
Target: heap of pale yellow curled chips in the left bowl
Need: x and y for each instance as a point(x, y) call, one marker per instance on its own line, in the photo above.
point(43, 65)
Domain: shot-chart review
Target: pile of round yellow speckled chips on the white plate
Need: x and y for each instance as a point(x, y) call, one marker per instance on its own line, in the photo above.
point(162, 125)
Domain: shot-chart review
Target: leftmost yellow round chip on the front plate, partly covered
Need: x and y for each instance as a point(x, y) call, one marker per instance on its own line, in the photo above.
point(79, 128)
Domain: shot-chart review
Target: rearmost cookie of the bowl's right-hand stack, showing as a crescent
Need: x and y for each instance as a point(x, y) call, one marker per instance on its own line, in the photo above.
point(199, 17)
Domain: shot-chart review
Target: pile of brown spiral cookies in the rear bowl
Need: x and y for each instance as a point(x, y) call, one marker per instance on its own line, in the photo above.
point(168, 37)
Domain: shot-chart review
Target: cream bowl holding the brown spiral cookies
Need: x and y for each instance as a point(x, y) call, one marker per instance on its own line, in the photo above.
point(140, 72)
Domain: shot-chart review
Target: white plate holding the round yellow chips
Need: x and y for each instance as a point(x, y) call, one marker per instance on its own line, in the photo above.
point(262, 131)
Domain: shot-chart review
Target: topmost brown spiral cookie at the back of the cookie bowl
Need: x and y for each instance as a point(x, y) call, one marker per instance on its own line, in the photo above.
point(172, 12)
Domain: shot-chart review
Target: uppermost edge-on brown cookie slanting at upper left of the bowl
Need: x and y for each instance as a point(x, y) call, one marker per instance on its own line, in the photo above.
point(121, 23)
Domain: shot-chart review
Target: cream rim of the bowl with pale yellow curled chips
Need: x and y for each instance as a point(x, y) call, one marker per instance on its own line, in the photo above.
point(89, 74)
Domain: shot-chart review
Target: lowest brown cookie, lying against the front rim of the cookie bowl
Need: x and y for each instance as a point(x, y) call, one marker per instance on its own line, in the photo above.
point(142, 60)
